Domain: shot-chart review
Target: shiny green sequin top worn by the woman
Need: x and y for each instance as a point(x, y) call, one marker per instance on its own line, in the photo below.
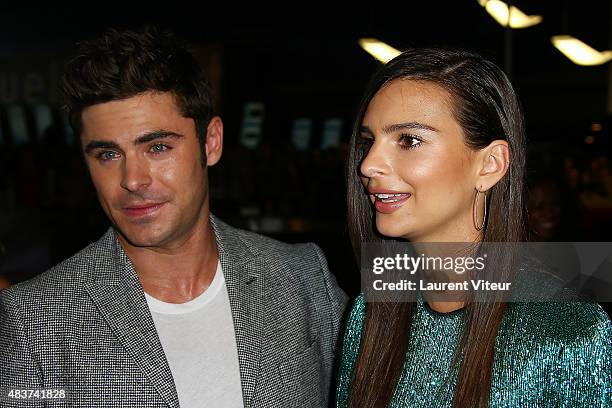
point(547, 355)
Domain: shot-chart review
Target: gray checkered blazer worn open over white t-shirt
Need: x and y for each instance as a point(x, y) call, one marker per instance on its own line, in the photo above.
point(84, 326)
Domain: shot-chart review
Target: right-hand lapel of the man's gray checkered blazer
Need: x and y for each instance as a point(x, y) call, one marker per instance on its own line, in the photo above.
point(242, 272)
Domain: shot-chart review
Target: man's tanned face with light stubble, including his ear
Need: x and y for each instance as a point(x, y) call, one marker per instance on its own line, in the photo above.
point(145, 162)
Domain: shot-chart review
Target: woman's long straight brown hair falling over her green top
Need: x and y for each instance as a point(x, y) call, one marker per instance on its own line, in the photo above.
point(485, 105)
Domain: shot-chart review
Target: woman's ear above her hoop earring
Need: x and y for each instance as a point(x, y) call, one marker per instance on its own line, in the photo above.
point(493, 162)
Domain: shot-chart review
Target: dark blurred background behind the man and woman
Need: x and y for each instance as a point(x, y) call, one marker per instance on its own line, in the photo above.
point(287, 89)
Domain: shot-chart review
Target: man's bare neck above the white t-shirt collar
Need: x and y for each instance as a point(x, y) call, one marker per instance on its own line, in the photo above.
point(180, 273)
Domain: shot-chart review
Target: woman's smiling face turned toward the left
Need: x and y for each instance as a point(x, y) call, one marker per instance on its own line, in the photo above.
point(418, 172)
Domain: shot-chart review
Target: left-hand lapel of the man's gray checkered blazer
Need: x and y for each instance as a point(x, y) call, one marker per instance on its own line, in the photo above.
point(119, 296)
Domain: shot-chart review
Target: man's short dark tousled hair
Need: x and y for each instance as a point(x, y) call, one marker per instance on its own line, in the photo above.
point(122, 64)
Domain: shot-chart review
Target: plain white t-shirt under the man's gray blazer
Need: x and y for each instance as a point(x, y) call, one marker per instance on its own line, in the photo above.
point(200, 345)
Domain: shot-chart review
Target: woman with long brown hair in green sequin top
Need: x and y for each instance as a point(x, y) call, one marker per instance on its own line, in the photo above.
point(437, 155)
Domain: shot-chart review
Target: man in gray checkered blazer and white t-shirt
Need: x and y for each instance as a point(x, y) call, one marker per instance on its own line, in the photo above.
point(171, 306)
